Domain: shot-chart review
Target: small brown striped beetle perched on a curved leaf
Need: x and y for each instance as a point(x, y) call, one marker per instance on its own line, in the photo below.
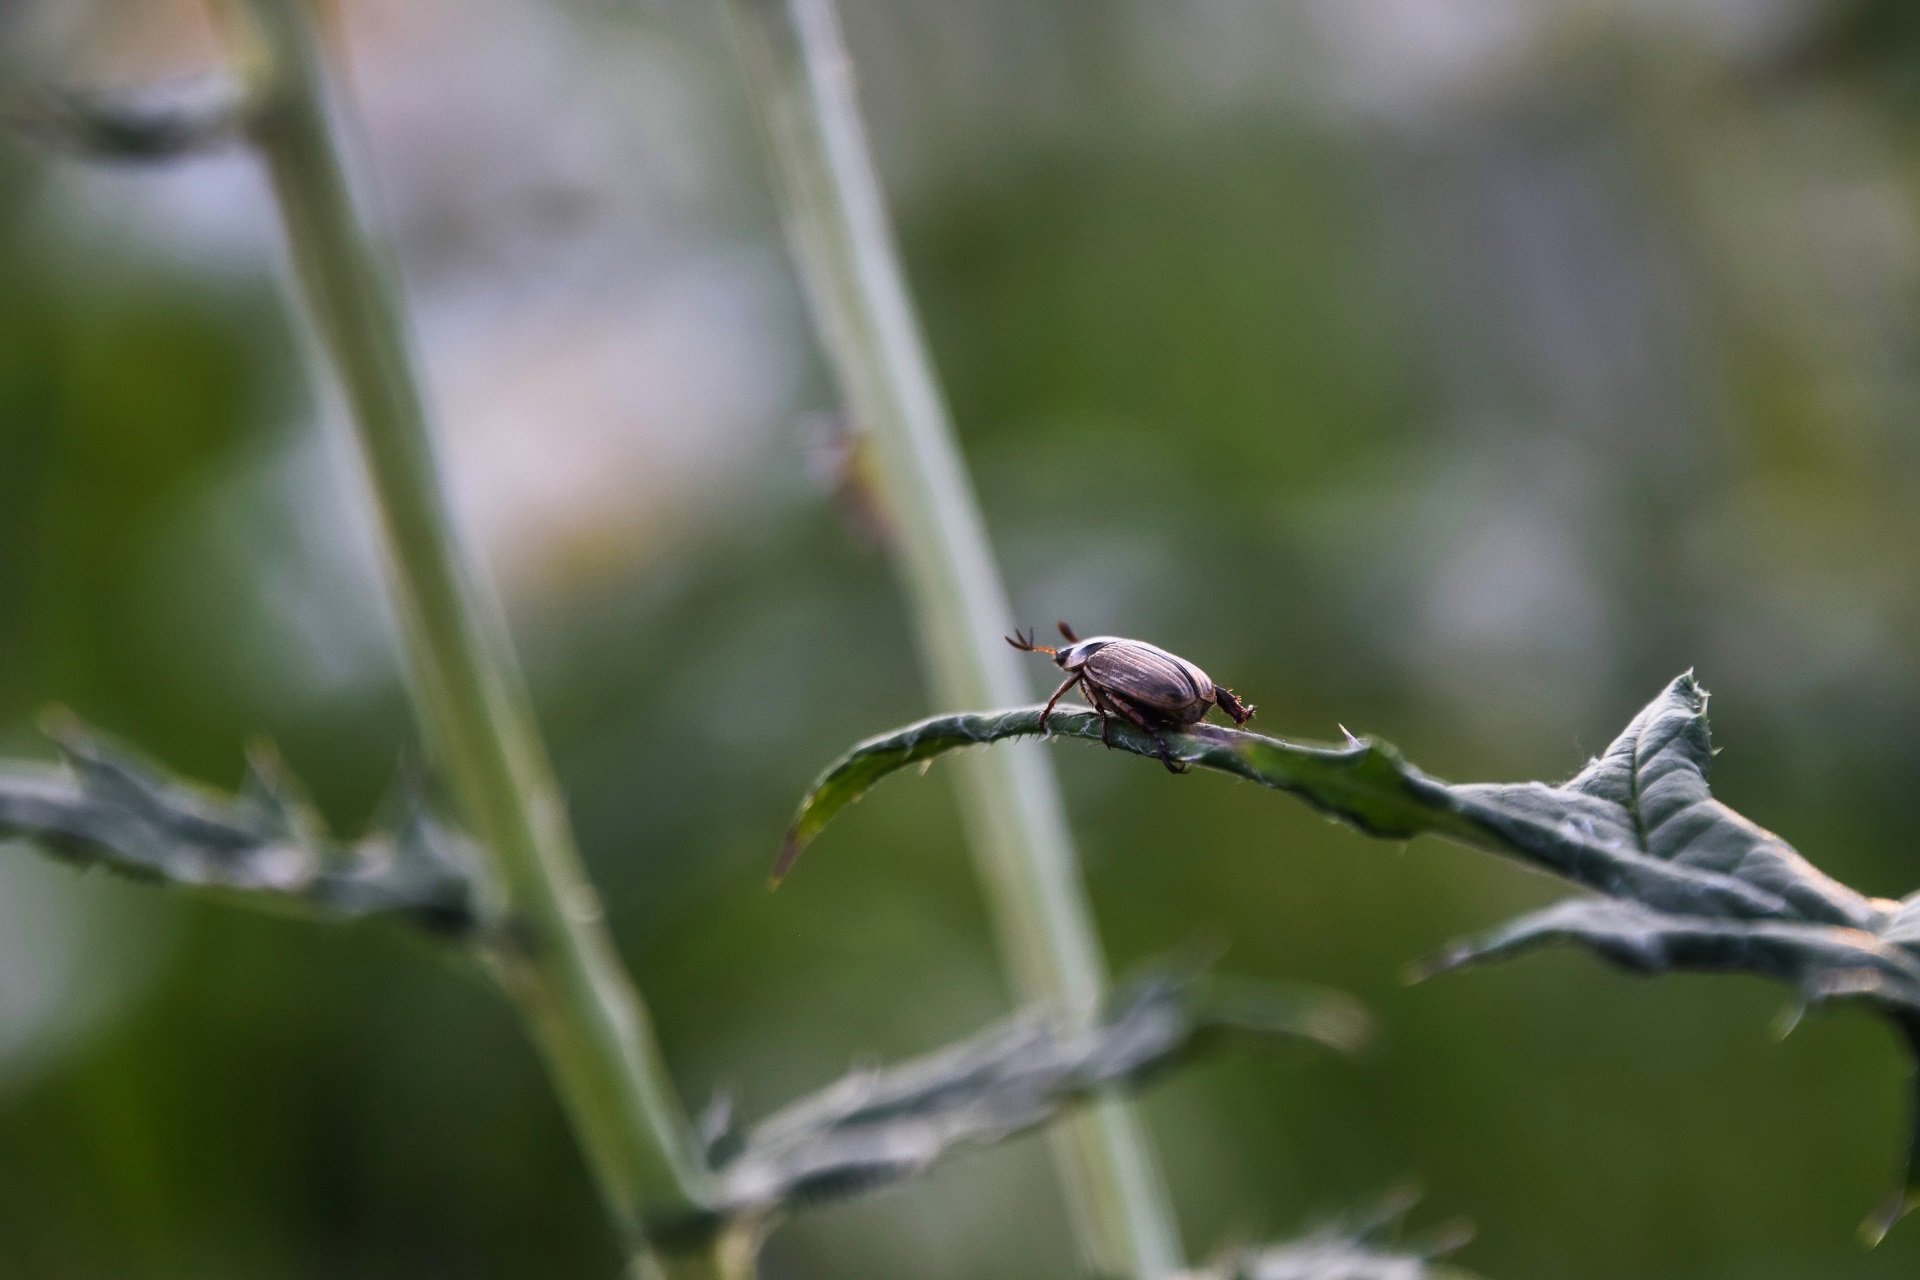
point(1143, 684)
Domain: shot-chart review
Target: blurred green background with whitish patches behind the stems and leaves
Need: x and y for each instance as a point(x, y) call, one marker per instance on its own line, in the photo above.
point(1456, 371)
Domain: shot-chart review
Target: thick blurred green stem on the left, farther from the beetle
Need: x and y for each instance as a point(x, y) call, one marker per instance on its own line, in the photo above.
point(550, 949)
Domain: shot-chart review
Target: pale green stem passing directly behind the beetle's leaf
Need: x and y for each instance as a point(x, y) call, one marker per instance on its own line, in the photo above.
point(796, 64)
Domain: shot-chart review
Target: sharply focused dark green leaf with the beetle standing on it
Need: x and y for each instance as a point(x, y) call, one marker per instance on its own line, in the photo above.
point(1683, 882)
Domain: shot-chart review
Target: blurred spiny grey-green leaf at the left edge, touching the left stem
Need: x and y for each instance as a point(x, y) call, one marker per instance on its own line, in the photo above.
point(116, 811)
